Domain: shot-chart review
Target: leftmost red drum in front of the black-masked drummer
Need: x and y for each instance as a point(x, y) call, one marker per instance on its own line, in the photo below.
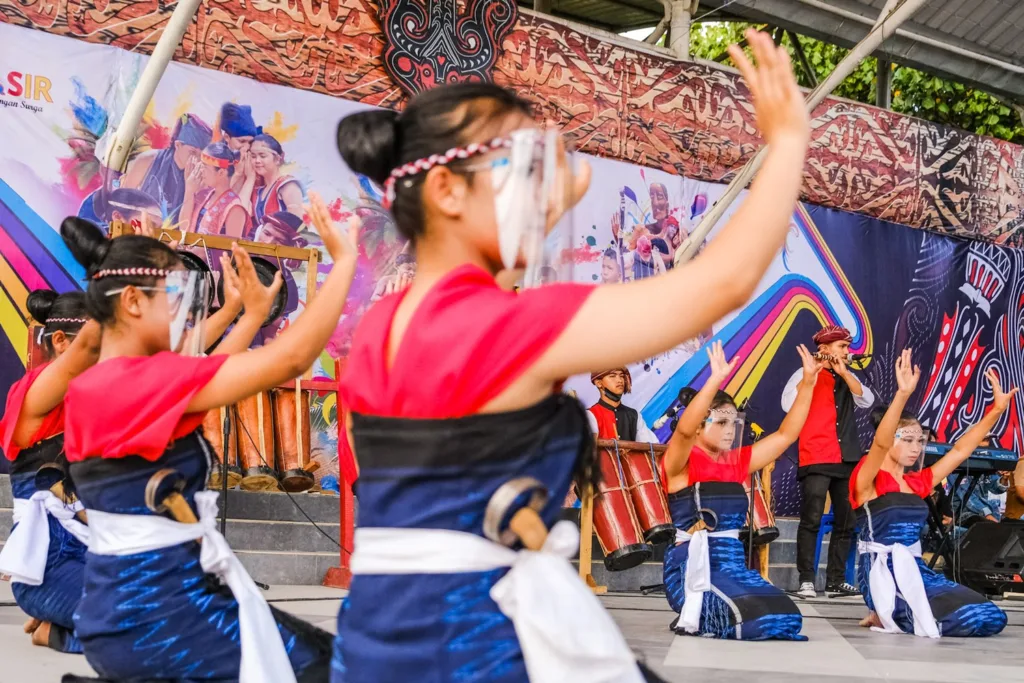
point(615, 521)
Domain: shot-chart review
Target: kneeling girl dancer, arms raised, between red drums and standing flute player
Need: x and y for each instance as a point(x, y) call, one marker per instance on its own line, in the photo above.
point(706, 576)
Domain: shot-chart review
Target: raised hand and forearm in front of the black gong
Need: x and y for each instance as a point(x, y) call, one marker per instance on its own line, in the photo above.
point(244, 289)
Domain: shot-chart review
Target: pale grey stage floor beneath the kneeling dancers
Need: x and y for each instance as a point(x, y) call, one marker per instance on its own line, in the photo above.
point(838, 648)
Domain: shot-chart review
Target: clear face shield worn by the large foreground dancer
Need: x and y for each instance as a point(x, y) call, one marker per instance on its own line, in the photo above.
point(534, 181)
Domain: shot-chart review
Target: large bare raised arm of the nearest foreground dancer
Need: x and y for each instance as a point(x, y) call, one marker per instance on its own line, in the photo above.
point(724, 277)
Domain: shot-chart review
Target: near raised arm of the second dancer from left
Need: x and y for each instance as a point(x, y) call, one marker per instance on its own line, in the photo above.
point(298, 347)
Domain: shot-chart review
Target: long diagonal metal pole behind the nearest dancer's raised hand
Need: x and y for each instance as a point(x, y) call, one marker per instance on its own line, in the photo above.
point(884, 28)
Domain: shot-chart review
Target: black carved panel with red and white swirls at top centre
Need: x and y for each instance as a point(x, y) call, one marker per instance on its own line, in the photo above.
point(430, 44)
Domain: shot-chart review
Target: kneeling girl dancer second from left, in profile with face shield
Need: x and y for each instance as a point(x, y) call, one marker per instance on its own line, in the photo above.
point(149, 609)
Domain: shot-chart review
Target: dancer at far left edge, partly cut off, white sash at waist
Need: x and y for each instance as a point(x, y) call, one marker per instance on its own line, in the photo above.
point(45, 553)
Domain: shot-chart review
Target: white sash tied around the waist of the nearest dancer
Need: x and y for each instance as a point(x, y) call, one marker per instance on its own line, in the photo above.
point(565, 633)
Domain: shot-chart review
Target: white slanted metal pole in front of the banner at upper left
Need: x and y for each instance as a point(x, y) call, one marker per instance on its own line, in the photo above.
point(117, 157)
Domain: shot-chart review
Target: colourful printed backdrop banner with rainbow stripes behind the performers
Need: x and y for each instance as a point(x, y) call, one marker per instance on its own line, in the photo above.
point(957, 304)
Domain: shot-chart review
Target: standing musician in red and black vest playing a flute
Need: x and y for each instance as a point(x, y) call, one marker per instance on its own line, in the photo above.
point(829, 451)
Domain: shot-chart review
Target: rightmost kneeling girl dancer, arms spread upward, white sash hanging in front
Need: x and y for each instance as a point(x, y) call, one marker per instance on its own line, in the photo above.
point(887, 490)
